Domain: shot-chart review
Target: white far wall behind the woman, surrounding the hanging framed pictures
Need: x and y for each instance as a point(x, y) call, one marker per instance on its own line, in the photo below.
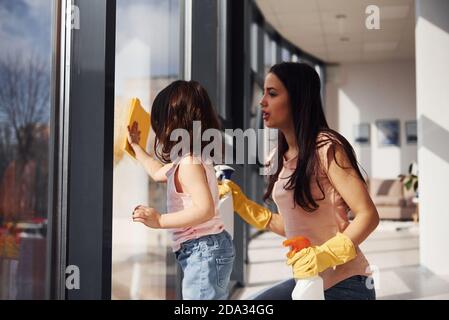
point(364, 93)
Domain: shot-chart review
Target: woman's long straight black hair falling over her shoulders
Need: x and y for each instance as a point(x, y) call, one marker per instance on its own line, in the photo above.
point(303, 86)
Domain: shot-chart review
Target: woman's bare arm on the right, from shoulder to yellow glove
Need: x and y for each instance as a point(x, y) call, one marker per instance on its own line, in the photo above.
point(349, 185)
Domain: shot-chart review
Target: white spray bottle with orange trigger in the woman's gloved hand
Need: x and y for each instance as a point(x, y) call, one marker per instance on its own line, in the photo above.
point(310, 288)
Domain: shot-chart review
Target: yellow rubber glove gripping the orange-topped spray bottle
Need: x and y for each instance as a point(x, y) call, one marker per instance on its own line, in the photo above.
point(312, 260)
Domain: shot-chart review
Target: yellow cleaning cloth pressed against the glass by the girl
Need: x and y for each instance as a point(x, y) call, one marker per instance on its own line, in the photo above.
point(138, 114)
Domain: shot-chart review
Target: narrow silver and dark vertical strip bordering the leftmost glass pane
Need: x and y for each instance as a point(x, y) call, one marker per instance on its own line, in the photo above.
point(58, 151)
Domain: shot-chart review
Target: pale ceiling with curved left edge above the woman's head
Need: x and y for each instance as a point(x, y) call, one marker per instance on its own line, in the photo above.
point(335, 31)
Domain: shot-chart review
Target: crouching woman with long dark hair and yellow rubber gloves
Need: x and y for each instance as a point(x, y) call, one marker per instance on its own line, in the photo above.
point(317, 182)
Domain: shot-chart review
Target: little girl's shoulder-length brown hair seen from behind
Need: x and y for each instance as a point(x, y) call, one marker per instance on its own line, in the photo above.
point(176, 107)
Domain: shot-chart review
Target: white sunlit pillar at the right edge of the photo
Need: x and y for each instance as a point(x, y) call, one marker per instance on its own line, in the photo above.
point(432, 80)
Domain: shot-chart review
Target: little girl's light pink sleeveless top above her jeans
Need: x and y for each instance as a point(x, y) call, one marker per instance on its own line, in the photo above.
point(177, 201)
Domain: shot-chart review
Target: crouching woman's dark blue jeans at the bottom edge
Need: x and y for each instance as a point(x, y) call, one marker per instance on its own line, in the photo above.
point(353, 288)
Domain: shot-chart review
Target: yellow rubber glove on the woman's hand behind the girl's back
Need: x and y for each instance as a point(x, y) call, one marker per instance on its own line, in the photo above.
point(253, 213)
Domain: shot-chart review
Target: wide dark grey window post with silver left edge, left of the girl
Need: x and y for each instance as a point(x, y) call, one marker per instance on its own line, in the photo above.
point(83, 152)
